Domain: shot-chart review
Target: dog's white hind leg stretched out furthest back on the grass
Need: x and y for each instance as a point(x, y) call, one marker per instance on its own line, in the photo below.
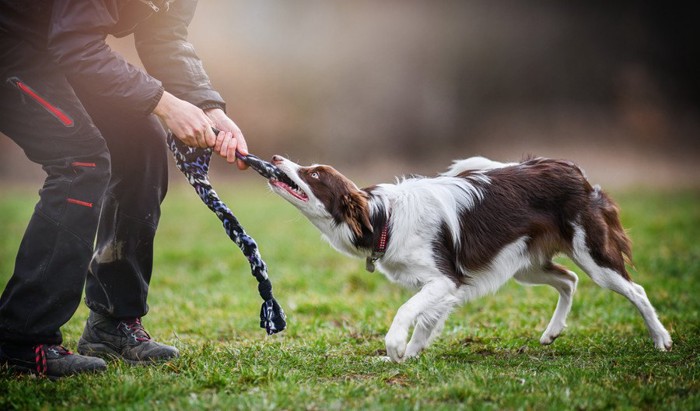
point(618, 281)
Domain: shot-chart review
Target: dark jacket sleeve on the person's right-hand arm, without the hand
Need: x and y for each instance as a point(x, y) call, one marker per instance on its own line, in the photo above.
point(167, 55)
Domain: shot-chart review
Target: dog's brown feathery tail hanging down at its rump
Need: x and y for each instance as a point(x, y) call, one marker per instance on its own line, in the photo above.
point(612, 245)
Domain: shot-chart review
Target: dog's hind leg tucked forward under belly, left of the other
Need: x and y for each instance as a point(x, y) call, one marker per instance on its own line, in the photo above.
point(564, 281)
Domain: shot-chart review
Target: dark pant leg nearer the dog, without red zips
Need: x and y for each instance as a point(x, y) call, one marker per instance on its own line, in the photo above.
point(120, 271)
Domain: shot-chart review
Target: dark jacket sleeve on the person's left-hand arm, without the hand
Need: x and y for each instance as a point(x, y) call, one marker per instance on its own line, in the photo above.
point(76, 41)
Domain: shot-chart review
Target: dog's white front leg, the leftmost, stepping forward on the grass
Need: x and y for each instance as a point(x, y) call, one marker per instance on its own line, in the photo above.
point(433, 294)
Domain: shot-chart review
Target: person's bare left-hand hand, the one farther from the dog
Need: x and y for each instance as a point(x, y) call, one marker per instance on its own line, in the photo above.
point(187, 121)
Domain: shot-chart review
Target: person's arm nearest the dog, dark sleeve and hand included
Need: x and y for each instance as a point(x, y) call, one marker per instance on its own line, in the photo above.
point(167, 54)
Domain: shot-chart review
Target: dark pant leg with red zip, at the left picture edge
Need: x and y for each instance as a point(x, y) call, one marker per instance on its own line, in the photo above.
point(41, 113)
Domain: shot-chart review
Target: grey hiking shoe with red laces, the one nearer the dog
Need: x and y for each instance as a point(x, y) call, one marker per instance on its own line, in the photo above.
point(124, 339)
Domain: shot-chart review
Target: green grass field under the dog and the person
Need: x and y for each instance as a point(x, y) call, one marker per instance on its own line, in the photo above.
point(204, 301)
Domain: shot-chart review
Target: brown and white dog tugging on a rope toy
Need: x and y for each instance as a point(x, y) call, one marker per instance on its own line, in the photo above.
point(466, 232)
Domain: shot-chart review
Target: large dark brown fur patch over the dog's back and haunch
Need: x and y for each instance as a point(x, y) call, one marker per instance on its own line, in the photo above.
point(537, 199)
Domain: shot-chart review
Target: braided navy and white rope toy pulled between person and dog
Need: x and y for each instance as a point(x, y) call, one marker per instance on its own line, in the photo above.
point(194, 164)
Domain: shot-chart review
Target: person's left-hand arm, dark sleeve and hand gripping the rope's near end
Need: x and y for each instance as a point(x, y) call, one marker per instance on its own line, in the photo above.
point(76, 41)
